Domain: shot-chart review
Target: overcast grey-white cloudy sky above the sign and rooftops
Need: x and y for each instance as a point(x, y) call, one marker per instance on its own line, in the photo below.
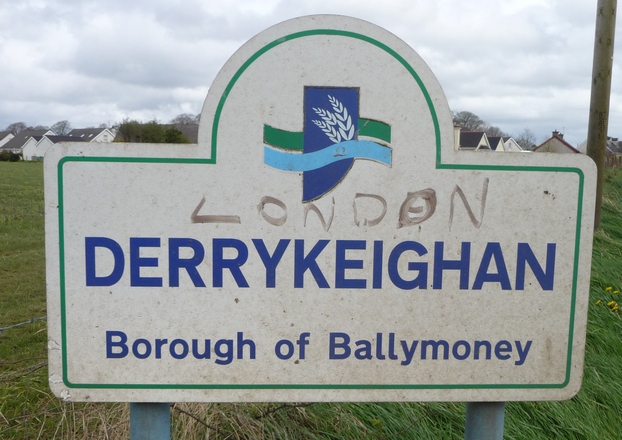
point(516, 64)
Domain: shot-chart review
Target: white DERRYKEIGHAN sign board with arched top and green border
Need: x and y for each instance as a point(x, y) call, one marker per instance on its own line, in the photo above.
point(323, 241)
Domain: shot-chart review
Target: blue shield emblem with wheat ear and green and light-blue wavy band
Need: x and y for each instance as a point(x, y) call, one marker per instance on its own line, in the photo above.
point(326, 149)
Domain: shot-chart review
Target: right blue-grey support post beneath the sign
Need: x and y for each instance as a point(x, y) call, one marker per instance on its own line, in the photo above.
point(485, 421)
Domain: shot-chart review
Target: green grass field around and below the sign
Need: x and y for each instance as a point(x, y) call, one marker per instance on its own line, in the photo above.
point(29, 411)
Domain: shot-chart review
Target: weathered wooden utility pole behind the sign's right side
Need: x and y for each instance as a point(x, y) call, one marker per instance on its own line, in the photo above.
point(601, 92)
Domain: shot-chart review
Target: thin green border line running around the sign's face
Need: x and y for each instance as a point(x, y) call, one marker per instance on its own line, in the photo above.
point(212, 160)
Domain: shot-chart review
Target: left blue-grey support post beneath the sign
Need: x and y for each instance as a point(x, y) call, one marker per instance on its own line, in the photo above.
point(150, 421)
